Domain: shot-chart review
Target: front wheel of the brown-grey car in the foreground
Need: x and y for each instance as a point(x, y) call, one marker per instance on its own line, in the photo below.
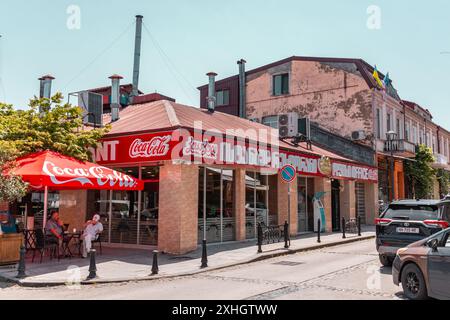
point(413, 283)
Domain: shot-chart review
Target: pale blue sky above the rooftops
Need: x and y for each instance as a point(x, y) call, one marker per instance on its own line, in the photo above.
point(202, 35)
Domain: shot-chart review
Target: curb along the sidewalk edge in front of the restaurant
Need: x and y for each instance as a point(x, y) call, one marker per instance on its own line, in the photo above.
point(264, 256)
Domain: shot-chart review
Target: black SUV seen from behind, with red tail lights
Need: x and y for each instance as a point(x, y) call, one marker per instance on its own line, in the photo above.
point(405, 222)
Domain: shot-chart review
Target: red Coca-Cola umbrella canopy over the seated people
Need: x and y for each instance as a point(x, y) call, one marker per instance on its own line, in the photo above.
point(59, 172)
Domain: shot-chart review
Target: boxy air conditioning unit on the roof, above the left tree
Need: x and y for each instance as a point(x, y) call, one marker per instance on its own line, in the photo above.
point(92, 105)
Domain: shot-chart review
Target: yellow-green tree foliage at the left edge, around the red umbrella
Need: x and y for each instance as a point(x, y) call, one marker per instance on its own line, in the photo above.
point(58, 128)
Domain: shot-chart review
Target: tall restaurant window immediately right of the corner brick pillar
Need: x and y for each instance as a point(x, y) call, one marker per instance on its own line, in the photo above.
point(216, 193)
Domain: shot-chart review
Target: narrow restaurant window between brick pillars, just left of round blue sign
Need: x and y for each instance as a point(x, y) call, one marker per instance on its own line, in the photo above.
point(255, 197)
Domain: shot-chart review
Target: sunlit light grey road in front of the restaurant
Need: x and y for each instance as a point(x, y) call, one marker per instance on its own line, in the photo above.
point(349, 271)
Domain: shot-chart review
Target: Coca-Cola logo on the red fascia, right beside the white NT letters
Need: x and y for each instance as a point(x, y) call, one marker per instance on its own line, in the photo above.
point(156, 147)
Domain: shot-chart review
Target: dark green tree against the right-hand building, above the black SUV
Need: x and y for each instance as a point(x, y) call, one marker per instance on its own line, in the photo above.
point(421, 173)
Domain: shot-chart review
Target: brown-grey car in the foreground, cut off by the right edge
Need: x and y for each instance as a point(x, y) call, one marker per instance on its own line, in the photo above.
point(423, 268)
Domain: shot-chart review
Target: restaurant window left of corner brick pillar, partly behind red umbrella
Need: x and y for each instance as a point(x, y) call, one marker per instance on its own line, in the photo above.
point(132, 217)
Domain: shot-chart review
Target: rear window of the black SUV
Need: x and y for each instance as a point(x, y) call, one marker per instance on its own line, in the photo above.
point(411, 212)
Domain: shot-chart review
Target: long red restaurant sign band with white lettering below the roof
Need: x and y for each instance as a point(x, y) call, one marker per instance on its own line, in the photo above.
point(187, 147)
